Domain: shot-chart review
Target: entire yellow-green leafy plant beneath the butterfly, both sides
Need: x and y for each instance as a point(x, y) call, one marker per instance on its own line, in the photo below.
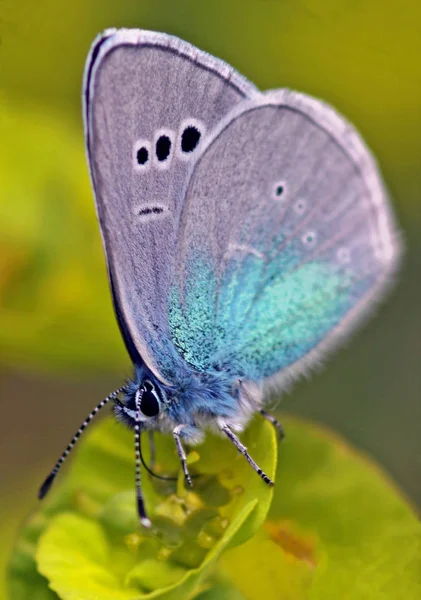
point(337, 527)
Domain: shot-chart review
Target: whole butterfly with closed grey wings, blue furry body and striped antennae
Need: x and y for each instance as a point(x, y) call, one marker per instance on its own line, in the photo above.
point(246, 235)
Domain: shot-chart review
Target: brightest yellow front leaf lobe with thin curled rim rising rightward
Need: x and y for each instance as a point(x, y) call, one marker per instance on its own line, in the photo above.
point(77, 559)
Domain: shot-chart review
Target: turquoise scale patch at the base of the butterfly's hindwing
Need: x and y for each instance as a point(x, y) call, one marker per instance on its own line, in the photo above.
point(256, 338)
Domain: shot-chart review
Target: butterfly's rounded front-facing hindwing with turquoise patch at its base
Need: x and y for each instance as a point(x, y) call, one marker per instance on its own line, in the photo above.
point(286, 240)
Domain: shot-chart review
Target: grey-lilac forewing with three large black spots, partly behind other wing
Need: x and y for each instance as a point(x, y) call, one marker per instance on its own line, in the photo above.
point(151, 102)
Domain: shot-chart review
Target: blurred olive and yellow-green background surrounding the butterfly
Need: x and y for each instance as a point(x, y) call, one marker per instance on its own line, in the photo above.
point(60, 349)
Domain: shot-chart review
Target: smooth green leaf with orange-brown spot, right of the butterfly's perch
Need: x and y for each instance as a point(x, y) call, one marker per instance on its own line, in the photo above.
point(337, 528)
